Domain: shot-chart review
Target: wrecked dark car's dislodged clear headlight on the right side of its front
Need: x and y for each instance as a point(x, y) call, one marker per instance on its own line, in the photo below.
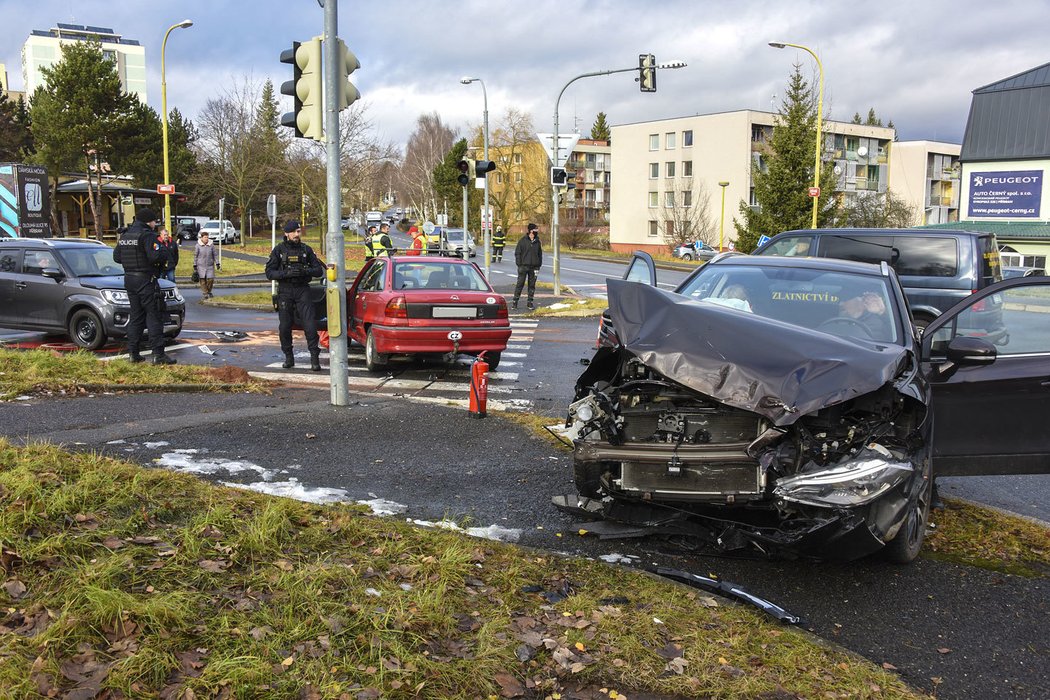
point(851, 483)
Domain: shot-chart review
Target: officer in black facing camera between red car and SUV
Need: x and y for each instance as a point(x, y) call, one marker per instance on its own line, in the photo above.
point(293, 264)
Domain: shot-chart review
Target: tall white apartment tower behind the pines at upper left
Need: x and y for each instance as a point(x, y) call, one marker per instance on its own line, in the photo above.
point(45, 49)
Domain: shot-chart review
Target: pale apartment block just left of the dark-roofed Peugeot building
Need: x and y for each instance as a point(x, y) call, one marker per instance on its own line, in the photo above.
point(926, 175)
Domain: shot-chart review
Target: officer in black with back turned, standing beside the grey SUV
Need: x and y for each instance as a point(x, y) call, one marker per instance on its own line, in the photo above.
point(143, 257)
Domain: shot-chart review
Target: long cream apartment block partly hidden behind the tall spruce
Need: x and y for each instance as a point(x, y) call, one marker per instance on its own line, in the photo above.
point(673, 163)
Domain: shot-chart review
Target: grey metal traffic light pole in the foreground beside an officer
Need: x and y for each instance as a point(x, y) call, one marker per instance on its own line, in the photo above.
point(335, 244)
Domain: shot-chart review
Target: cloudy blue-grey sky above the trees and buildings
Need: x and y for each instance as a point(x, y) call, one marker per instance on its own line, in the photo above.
point(915, 61)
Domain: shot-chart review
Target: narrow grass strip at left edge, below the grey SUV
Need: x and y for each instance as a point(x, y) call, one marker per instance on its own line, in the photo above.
point(26, 373)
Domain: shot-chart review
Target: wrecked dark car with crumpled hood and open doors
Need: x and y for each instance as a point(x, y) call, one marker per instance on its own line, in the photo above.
point(786, 406)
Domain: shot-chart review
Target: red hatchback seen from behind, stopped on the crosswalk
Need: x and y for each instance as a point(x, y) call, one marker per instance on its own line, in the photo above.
point(423, 306)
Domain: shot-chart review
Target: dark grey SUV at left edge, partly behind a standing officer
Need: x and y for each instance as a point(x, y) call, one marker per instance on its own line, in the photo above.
point(72, 287)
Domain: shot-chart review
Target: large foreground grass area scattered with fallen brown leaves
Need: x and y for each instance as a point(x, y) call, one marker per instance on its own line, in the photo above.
point(143, 584)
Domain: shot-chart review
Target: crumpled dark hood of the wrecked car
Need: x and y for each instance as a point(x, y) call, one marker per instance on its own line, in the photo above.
point(776, 370)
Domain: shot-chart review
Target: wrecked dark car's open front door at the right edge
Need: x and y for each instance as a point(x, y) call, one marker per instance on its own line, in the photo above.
point(989, 363)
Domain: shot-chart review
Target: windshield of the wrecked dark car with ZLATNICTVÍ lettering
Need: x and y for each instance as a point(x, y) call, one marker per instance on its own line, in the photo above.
point(841, 304)
